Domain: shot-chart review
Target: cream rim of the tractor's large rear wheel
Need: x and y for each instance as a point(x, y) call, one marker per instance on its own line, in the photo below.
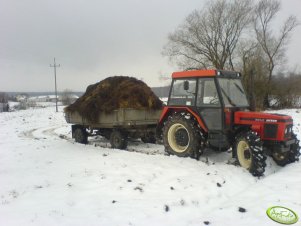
point(178, 138)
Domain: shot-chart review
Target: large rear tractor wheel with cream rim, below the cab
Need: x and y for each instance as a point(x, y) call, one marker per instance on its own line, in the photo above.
point(181, 137)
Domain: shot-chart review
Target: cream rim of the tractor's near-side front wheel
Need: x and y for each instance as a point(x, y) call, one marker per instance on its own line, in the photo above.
point(244, 154)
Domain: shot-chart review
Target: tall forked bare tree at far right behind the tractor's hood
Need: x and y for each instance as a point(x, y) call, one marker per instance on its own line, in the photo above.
point(272, 45)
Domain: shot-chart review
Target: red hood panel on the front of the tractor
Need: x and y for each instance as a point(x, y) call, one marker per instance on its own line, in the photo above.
point(241, 117)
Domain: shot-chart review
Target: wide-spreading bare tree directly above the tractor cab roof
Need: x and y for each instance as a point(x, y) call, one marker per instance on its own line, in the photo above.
point(209, 37)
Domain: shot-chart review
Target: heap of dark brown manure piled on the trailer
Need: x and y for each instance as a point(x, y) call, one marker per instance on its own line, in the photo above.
point(113, 93)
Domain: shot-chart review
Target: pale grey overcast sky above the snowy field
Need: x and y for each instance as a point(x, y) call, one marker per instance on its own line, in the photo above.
point(94, 39)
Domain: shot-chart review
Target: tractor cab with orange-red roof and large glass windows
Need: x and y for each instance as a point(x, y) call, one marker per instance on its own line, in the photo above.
point(214, 95)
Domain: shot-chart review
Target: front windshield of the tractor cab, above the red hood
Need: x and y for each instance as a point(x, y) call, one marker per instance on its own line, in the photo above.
point(233, 92)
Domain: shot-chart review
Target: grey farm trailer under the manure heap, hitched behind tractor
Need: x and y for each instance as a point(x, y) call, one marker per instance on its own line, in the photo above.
point(117, 126)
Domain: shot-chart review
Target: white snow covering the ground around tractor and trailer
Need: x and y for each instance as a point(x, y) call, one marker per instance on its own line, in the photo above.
point(48, 179)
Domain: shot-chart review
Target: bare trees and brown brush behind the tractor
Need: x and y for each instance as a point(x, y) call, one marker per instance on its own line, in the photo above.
point(240, 35)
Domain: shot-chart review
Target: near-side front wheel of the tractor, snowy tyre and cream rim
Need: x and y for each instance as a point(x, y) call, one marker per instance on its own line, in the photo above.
point(249, 153)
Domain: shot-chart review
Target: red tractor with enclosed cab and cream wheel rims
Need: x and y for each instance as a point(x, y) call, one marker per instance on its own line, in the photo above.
point(209, 109)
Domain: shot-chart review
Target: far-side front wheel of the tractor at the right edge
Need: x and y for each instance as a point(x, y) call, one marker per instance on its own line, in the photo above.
point(291, 156)
